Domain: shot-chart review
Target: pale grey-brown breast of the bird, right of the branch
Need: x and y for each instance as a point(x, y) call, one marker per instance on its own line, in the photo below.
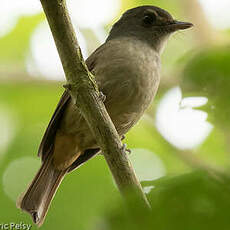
point(127, 72)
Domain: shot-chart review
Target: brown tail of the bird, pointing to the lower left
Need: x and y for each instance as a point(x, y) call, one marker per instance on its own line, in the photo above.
point(37, 198)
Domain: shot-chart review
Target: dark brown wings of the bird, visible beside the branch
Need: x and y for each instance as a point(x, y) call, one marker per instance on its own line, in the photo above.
point(47, 143)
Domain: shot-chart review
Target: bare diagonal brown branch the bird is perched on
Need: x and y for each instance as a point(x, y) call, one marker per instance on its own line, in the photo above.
point(84, 91)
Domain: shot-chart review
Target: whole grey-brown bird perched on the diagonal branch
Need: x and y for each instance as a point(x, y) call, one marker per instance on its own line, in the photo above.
point(127, 71)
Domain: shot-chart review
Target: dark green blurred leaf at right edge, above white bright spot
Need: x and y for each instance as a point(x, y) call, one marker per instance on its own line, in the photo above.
point(208, 74)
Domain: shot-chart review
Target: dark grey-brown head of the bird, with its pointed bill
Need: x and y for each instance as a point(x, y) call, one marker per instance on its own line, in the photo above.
point(150, 24)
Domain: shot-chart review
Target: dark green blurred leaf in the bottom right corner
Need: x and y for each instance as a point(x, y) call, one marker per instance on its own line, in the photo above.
point(191, 201)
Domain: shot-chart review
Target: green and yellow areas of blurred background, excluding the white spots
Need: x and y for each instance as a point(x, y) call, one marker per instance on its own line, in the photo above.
point(194, 191)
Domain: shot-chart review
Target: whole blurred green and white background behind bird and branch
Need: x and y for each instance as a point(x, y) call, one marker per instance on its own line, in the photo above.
point(180, 148)
